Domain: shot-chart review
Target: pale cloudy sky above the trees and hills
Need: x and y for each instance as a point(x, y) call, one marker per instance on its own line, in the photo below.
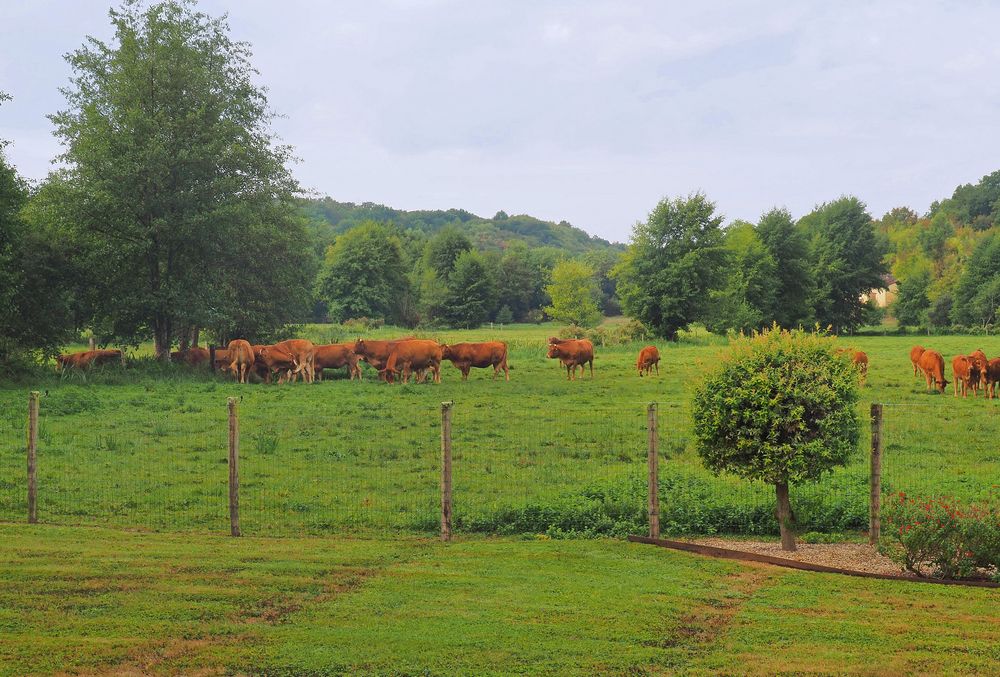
point(586, 111)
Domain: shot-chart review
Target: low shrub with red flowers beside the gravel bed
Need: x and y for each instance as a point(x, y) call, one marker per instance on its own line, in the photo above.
point(941, 537)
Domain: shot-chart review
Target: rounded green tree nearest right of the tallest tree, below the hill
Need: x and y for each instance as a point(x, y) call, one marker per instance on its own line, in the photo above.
point(364, 275)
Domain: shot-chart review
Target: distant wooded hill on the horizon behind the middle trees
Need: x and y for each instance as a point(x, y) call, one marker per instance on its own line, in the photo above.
point(330, 218)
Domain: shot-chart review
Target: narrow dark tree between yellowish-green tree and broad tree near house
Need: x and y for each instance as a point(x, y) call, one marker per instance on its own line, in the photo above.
point(793, 279)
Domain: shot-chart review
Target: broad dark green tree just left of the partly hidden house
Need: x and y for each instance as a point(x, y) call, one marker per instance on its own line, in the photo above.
point(846, 261)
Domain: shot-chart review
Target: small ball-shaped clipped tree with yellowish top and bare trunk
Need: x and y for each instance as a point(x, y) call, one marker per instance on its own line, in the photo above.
point(779, 407)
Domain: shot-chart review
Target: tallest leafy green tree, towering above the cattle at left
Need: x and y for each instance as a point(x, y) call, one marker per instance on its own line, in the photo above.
point(175, 189)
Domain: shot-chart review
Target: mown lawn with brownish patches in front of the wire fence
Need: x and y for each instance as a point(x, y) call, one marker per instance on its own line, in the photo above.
point(100, 601)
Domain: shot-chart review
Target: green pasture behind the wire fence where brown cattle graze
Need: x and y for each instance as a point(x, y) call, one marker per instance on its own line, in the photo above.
point(147, 447)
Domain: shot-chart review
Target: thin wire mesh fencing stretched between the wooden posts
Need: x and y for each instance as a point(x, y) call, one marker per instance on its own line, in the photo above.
point(361, 467)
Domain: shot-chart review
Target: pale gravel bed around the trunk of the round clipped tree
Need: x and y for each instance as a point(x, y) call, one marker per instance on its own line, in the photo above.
point(854, 556)
